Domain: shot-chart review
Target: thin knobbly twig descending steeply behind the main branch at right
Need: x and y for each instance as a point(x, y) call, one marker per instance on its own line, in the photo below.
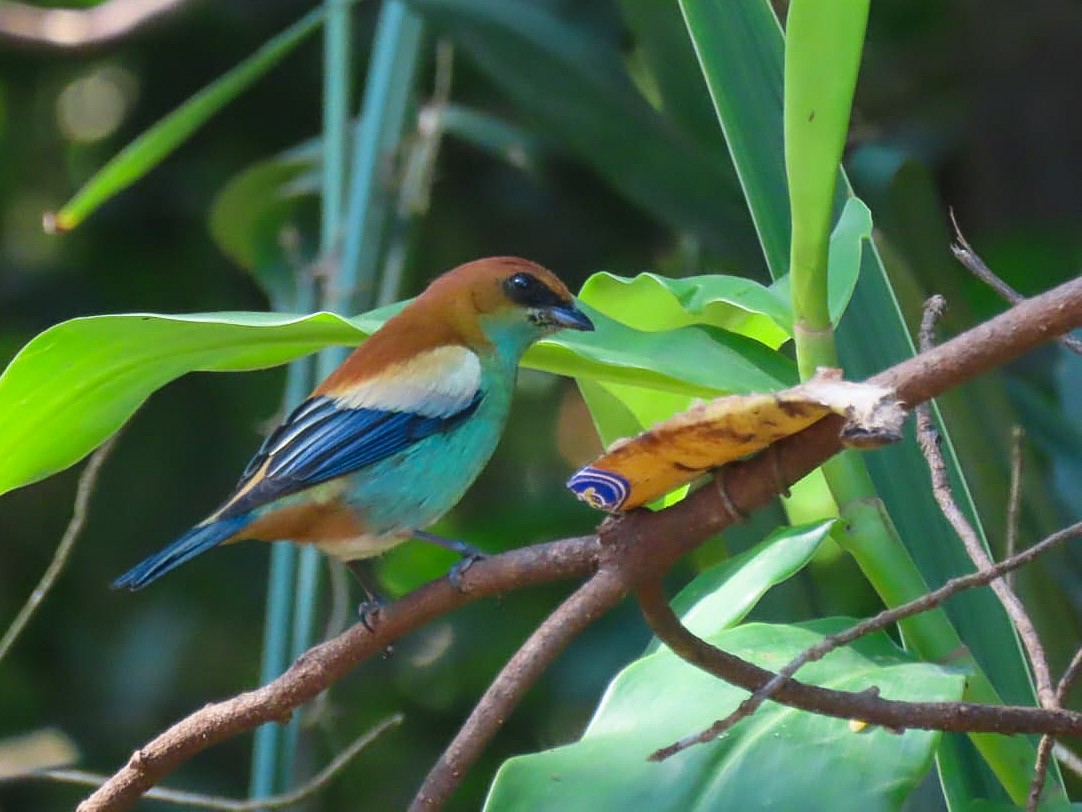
point(929, 440)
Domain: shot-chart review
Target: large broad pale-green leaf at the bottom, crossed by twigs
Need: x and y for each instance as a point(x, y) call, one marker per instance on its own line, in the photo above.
point(778, 759)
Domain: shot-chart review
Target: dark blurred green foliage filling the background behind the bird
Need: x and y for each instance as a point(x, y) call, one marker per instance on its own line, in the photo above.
point(972, 107)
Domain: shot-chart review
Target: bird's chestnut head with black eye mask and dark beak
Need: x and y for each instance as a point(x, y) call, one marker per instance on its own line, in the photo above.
point(507, 302)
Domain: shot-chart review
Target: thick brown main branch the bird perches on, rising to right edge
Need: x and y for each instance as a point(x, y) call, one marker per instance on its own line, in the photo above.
point(638, 547)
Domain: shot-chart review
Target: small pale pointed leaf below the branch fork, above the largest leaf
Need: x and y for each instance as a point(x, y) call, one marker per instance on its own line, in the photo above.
point(722, 596)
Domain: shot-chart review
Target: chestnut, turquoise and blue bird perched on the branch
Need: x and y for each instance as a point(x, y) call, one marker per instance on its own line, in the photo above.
point(393, 439)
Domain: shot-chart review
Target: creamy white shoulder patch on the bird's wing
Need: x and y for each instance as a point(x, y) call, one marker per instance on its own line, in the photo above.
point(439, 383)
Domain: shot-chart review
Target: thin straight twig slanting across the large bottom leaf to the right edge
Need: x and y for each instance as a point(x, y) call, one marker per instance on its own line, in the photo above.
point(771, 689)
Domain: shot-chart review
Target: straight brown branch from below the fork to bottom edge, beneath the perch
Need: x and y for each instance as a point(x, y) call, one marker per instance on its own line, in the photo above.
point(592, 600)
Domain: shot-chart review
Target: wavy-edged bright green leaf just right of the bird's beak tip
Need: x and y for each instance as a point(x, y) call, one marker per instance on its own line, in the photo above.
point(652, 303)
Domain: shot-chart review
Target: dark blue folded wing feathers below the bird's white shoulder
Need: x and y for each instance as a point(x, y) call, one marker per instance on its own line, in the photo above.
point(322, 441)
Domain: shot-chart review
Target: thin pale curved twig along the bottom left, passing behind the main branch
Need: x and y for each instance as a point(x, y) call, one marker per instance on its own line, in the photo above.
point(199, 801)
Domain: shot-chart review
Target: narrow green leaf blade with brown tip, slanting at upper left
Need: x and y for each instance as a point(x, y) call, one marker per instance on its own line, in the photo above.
point(153, 147)
